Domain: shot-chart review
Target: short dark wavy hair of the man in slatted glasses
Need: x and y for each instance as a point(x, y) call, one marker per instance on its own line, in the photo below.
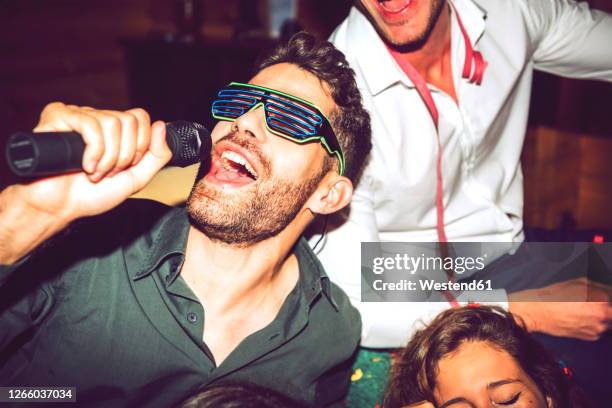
point(351, 122)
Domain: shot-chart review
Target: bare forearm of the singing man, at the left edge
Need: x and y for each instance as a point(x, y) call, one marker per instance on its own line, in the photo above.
point(23, 228)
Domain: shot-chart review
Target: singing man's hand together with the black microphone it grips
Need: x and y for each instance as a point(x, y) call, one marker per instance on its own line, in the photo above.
point(118, 154)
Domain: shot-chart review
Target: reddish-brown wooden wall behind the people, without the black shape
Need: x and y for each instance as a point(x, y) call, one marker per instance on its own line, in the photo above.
point(69, 50)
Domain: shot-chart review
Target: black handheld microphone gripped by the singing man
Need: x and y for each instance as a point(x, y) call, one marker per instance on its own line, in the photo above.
point(50, 153)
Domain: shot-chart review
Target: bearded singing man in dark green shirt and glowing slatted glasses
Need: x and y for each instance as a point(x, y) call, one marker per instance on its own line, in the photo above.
point(141, 304)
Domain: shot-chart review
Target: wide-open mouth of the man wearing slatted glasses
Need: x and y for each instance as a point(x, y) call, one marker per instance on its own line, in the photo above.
point(231, 169)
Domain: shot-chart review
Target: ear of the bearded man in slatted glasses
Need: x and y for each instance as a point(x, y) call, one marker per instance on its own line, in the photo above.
point(333, 194)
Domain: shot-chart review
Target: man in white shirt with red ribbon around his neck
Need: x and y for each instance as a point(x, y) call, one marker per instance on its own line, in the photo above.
point(481, 128)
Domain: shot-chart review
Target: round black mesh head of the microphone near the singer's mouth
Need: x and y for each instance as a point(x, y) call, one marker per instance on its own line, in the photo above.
point(185, 140)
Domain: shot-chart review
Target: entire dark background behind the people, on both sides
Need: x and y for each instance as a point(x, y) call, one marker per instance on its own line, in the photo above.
point(118, 54)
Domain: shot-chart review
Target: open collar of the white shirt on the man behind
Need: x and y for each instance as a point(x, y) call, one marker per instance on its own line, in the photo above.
point(376, 63)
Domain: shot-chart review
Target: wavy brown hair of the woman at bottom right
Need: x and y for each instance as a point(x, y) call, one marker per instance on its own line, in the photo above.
point(413, 377)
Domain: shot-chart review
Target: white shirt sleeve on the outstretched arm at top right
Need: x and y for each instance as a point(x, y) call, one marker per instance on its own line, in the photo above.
point(570, 39)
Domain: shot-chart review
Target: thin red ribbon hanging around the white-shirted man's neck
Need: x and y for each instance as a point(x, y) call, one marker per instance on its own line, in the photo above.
point(421, 87)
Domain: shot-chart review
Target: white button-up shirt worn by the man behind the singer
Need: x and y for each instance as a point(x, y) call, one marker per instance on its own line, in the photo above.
point(482, 138)
